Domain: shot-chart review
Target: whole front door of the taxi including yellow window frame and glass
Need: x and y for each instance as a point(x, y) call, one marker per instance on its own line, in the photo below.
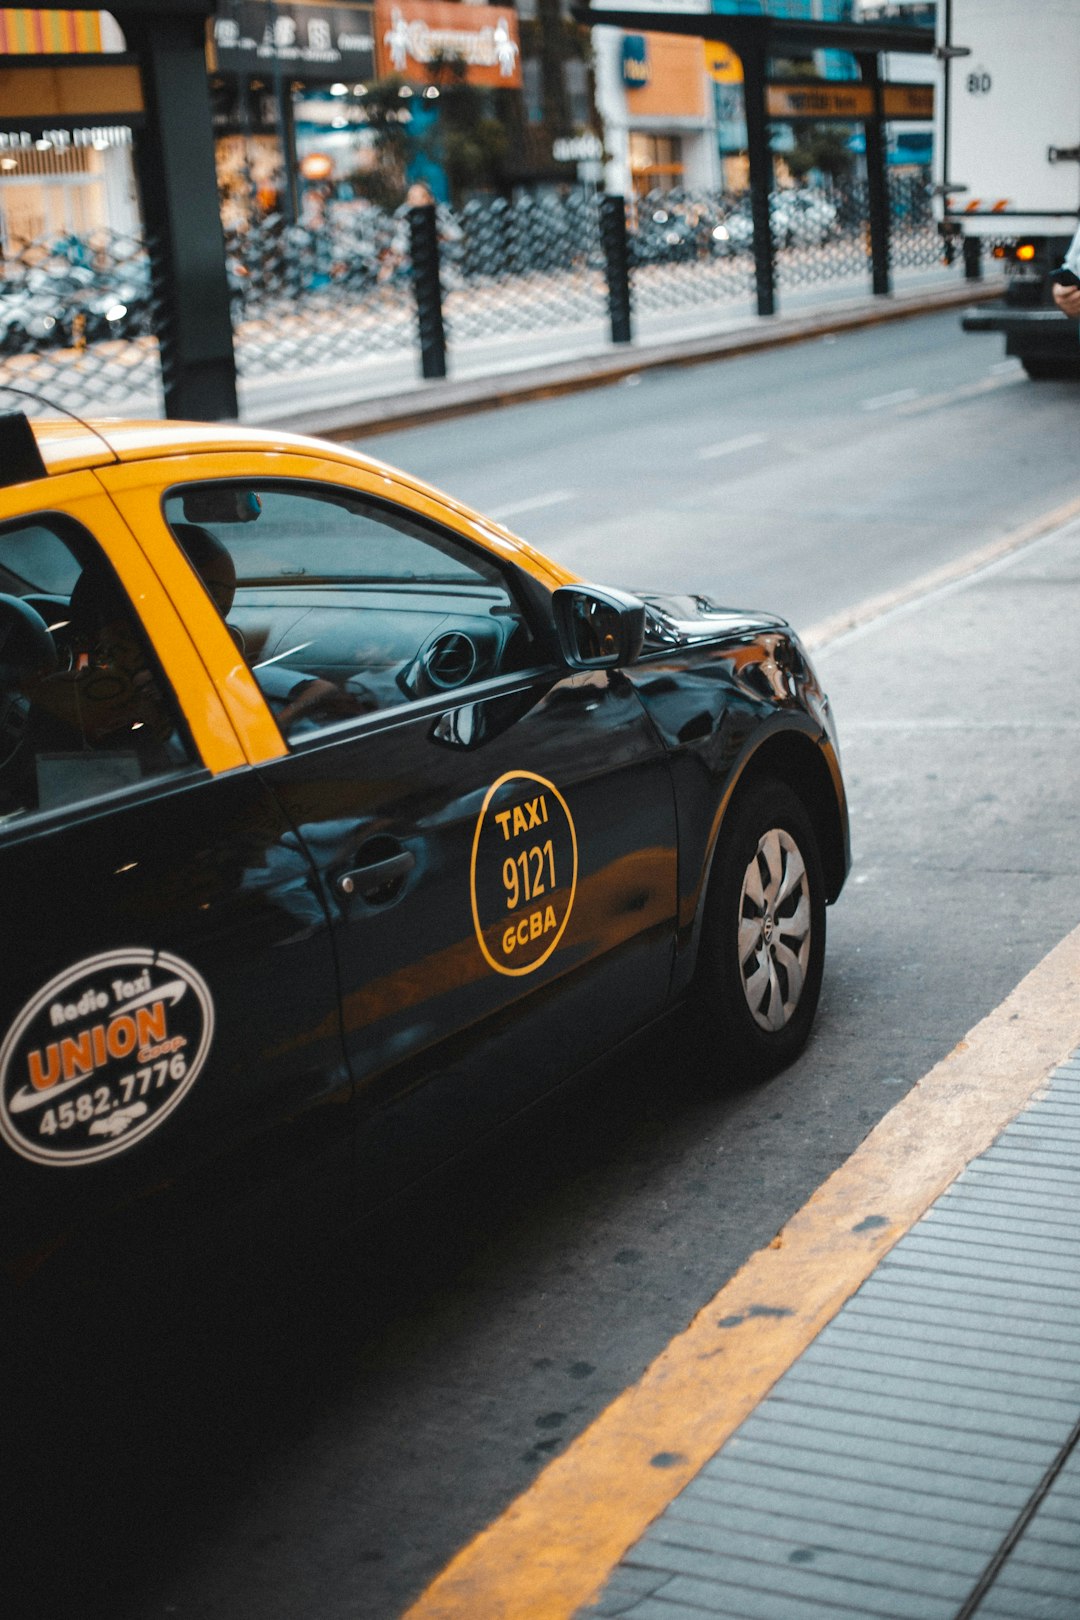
point(495, 843)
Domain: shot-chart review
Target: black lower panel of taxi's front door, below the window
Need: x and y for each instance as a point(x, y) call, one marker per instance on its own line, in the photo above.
point(501, 876)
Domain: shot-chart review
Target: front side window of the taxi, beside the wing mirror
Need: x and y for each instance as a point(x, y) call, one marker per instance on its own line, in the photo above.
point(344, 607)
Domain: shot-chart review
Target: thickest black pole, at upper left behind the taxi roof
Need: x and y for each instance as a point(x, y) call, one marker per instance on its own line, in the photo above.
point(184, 226)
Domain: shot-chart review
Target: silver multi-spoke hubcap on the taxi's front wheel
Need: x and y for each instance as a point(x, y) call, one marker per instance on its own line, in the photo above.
point(775, 931)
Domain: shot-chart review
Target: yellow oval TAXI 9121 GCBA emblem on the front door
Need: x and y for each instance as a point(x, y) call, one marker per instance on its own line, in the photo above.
point(524, 872)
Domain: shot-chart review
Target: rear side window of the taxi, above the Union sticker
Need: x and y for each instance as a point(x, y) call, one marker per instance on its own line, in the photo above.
point(85, 707)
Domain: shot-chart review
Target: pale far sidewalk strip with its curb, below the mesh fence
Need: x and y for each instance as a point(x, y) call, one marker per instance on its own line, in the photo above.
point(380, 394)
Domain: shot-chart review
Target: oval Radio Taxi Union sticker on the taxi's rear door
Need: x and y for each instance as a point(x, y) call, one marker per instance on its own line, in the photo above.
point(103, 1055)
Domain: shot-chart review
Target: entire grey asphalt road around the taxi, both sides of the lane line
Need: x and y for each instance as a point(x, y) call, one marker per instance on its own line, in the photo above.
point(313, 1433)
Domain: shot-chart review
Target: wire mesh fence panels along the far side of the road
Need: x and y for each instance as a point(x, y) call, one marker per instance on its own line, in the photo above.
point(79, 320)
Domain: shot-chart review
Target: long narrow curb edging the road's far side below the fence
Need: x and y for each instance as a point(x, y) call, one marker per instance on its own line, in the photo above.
point(446, 399)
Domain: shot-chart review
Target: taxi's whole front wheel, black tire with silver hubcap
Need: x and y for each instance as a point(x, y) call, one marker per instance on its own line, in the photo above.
point(765, 936)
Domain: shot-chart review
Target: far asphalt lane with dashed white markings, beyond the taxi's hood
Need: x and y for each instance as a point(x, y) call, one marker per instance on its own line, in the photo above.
point(801, 480)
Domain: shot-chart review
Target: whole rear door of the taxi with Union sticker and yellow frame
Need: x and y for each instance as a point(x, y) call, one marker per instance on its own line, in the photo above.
point(169, 987)
